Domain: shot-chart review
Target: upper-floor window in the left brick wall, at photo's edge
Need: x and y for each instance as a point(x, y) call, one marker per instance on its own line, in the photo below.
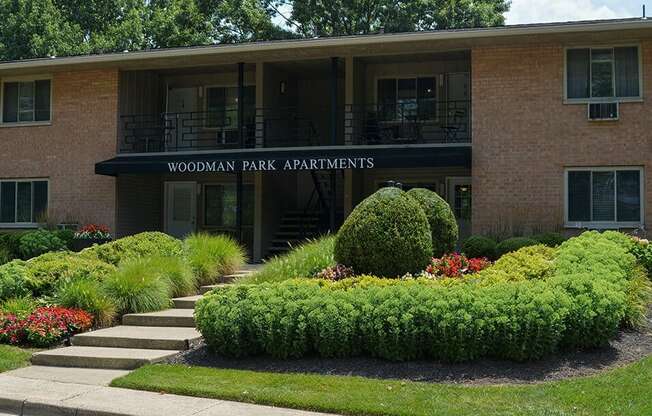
point(26, 101)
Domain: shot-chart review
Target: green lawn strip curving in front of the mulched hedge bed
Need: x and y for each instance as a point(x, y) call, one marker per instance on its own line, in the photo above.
point(625, 391)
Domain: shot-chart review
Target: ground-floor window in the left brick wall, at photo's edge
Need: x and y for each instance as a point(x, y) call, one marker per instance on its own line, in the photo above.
point(23, 202)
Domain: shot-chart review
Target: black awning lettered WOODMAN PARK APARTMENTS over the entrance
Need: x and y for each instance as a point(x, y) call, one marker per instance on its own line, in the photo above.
point(289, 159)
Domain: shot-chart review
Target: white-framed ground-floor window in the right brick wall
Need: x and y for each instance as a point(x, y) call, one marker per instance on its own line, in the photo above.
point(604, 197)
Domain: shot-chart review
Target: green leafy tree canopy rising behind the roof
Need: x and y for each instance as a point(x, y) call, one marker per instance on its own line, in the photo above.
point(40, 28)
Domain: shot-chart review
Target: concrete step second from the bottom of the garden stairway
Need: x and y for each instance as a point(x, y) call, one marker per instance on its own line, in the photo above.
point(140, 337)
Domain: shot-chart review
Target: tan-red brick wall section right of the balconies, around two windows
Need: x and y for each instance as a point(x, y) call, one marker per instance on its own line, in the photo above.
point(524, 136)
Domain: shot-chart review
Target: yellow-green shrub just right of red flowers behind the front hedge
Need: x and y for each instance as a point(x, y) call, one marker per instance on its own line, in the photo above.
point(532, 262)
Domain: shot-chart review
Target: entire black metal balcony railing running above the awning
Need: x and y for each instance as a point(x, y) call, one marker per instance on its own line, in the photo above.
point(404, 123)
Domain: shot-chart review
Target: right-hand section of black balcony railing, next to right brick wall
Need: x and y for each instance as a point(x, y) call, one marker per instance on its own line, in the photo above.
point(411, 122)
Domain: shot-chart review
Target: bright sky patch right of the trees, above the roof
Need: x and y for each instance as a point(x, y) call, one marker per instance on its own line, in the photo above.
point(540, 11)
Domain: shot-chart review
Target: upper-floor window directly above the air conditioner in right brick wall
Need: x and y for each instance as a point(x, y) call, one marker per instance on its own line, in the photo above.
point(603, 73)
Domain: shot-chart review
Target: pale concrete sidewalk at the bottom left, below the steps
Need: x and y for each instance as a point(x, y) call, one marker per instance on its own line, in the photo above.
point(21, 396)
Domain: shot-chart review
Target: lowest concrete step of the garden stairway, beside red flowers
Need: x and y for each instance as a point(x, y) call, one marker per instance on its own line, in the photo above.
point(100, 357)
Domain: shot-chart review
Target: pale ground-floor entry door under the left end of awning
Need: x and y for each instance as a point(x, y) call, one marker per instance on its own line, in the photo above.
point(180, 208)
